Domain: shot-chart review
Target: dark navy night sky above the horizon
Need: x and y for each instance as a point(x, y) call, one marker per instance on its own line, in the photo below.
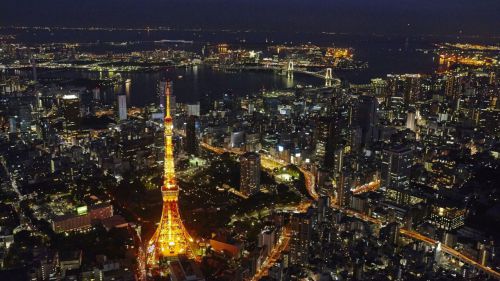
point(443, 17)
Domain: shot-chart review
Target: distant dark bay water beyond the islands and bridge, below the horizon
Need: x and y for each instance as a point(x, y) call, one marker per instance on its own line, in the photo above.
point(384, 54)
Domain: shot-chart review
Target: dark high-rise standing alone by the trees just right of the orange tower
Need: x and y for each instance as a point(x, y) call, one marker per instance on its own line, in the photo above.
point(250, 173)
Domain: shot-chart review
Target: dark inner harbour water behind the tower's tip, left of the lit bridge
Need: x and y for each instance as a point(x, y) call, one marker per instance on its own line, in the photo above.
point(190, 84)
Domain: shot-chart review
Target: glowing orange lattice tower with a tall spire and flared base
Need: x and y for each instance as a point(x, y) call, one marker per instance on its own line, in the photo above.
point(171, 238)
